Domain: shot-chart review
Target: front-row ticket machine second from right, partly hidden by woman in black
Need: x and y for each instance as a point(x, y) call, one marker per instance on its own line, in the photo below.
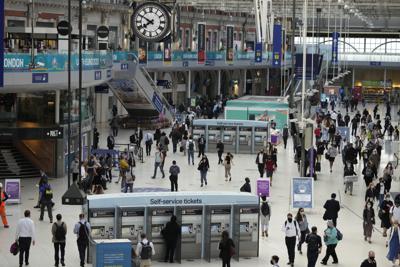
point(220, 221)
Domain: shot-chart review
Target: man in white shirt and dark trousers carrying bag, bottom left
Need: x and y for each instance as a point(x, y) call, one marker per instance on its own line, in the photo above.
point(25, 235)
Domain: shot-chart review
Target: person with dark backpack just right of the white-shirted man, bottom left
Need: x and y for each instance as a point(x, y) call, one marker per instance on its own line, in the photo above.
point(59, 232)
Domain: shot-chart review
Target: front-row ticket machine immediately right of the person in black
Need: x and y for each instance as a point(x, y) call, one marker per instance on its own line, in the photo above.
point(191, 242)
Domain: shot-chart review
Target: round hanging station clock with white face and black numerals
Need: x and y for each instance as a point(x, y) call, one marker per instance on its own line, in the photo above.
point(151, 22)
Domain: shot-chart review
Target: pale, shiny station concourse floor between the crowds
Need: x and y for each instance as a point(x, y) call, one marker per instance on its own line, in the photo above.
point(351, 251)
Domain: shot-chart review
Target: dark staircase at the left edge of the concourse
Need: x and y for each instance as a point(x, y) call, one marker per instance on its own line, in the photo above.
point(13, 165)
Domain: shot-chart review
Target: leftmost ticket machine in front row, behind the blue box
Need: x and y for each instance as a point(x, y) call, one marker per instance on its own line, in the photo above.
point(102, 224)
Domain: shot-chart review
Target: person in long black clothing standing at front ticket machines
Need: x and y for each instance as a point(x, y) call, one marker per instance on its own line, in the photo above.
point(171, 234)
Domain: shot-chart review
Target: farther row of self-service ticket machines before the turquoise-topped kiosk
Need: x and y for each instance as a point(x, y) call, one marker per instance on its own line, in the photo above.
point(238, 136)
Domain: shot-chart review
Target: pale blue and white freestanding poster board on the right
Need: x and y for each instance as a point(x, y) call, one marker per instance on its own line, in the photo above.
point(302, 192)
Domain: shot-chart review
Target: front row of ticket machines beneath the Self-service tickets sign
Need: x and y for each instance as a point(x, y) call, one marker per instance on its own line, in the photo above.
point(201, 227)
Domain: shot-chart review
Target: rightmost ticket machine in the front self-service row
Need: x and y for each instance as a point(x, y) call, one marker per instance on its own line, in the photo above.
point(249, 231)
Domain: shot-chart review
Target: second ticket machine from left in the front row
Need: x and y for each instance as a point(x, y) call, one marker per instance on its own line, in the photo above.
point(131, 223)
